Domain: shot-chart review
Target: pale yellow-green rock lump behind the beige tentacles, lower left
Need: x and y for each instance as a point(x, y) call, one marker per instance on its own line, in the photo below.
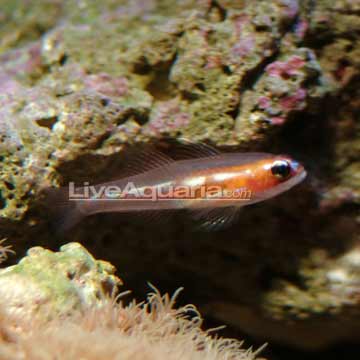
point(55, 283)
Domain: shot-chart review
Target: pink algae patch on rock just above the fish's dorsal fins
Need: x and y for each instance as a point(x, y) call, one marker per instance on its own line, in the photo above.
point(168, 117)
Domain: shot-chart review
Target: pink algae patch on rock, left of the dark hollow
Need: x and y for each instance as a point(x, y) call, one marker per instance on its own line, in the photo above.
point(107, 85)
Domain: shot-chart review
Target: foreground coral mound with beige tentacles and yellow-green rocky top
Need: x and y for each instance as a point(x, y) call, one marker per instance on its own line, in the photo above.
point(98, 329)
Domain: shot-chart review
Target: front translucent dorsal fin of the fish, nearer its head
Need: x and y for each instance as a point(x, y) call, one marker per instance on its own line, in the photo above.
point(189, 150)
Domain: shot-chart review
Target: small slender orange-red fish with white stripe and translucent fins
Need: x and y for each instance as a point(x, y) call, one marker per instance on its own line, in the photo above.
point(211, 184)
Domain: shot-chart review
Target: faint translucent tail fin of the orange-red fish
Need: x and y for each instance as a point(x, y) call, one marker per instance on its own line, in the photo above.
point(64, 213)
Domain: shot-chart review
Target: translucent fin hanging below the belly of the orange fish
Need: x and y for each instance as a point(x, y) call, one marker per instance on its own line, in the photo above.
point(215, 219)
